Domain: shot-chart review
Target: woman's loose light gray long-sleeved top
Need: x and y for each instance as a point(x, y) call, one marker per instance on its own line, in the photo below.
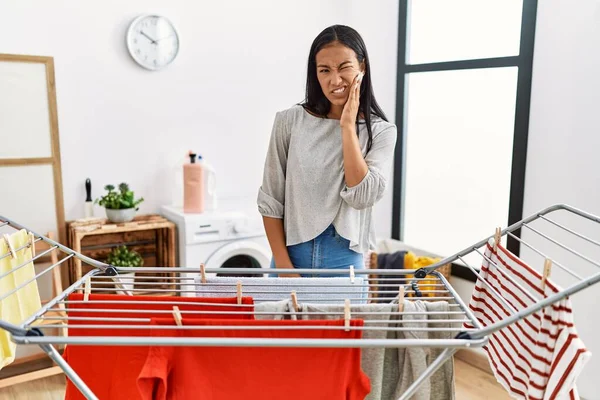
point(304, 184)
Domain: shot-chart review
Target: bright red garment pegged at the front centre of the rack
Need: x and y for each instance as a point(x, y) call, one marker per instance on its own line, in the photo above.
point(253, 373)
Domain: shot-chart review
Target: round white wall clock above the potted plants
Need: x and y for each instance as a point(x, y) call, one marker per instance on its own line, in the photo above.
point(152, 41)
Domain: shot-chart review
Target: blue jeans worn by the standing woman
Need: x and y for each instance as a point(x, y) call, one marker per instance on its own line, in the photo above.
point(329, 250)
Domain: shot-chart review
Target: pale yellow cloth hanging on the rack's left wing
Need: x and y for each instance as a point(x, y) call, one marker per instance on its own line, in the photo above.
point(19, 306)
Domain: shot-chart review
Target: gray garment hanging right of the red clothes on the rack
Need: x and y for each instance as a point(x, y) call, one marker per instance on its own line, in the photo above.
point(392, 370)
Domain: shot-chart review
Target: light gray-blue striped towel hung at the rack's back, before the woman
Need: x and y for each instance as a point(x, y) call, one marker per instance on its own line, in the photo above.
point(330, 290)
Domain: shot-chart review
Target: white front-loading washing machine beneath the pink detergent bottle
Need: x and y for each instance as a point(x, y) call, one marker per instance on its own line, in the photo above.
point(219, 239)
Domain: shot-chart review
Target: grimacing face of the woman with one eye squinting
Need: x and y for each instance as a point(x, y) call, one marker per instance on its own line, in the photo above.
point(337, 66)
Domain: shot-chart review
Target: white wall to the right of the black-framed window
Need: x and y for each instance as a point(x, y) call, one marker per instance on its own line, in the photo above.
point(562, 158)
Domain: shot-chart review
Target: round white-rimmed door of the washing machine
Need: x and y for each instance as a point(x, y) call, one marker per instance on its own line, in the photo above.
point(240, 254)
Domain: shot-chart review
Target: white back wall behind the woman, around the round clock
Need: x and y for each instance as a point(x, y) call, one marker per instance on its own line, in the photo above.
point(239, 63)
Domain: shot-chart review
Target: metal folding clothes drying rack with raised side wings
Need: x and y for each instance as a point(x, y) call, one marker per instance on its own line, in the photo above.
point(105, 278)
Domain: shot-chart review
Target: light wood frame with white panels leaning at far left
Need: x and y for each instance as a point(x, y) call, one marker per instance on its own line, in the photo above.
point(30, 160)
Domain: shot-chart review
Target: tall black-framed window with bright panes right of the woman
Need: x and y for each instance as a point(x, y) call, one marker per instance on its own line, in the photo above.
point(464, 84)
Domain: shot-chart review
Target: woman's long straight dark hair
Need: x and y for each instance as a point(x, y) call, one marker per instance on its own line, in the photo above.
point(315, 100)
